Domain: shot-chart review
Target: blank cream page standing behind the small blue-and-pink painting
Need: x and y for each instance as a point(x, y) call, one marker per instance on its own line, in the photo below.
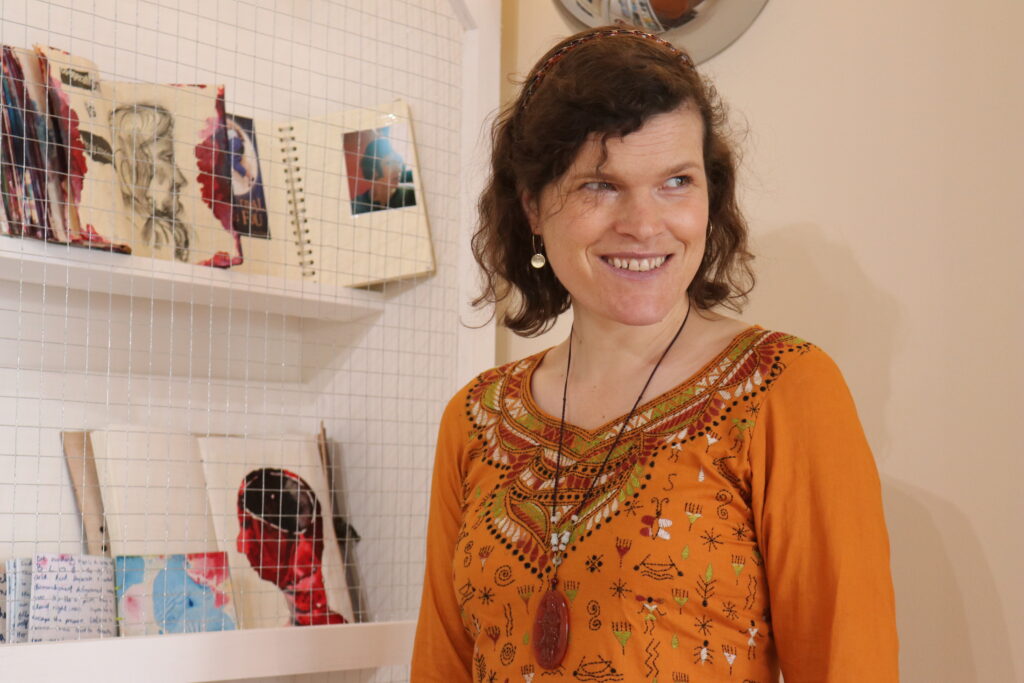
point(155, 497)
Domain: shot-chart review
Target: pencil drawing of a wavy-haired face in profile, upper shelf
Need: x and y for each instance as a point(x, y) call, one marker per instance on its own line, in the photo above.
point(150, 179)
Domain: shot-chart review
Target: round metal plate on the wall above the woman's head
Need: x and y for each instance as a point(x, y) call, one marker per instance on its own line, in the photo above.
point(703, 28)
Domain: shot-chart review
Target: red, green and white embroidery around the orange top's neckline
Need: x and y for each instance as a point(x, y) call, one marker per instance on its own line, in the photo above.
point(513, 436)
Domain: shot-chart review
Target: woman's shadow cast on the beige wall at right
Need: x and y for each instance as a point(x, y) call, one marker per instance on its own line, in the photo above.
point(952, 624)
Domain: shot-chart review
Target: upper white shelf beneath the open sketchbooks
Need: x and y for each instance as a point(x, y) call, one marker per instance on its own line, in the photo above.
point(38, 263)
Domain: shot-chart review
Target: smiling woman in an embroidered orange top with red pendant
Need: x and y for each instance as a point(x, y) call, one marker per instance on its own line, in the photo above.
point(669, 494)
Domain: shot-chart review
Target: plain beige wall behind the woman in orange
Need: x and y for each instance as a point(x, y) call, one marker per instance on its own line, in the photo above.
point(883, 164)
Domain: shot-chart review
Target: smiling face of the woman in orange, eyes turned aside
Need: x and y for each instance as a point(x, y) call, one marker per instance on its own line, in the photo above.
point(626, 235)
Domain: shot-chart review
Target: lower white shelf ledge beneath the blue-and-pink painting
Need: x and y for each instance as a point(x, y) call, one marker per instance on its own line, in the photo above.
point(214, 657)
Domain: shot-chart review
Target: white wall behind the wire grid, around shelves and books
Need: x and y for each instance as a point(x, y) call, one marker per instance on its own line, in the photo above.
point(379, 385)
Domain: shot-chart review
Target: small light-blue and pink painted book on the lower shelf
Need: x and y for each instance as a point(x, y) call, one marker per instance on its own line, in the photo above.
point(183, 593)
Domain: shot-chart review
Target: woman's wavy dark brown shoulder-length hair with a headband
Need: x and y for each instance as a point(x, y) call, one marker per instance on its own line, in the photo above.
point(608, 84)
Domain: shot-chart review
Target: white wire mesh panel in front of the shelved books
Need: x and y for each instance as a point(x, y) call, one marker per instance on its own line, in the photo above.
point(154, 405)
